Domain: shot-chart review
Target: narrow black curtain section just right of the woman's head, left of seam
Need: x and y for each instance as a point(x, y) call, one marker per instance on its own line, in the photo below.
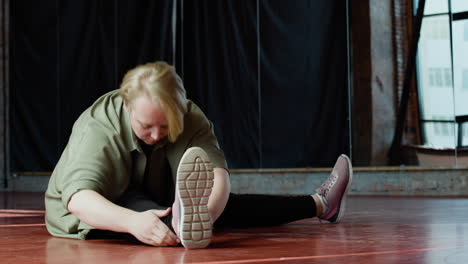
point(220, 73)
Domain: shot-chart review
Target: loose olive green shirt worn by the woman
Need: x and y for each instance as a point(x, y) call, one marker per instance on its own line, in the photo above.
point(103, 153)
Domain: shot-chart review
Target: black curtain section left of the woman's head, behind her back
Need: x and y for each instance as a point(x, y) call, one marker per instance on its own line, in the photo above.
point(64, 55)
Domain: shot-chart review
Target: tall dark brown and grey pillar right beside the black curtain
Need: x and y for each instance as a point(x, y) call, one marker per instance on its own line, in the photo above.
point(374, 93)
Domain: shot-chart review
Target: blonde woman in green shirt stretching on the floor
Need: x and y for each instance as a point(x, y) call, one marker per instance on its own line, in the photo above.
point(143, 162)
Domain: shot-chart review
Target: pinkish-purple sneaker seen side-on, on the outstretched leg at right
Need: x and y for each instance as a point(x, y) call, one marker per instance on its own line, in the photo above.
point(334, 190)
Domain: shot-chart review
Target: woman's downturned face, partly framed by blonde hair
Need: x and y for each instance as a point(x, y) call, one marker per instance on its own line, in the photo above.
point(148, 120)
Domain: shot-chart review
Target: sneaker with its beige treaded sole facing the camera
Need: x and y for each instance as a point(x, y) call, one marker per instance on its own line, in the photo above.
point(190, 216)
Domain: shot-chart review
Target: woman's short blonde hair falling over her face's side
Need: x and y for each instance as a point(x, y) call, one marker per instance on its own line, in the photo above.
point(160, 82)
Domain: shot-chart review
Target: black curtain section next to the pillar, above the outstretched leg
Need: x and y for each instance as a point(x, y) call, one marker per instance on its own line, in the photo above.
point(303, 82)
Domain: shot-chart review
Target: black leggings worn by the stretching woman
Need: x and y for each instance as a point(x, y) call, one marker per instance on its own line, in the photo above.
point(242, 210)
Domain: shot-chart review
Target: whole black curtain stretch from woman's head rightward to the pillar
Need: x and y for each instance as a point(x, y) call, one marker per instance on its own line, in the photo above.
point(287, 108)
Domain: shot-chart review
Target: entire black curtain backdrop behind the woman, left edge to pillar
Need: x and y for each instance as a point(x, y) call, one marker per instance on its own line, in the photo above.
point(270, 74)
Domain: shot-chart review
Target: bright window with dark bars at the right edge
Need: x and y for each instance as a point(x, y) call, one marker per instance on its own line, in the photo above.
point(442, 62)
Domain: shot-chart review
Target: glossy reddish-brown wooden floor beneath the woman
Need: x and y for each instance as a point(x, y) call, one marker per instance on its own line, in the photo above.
point(375, 230)
